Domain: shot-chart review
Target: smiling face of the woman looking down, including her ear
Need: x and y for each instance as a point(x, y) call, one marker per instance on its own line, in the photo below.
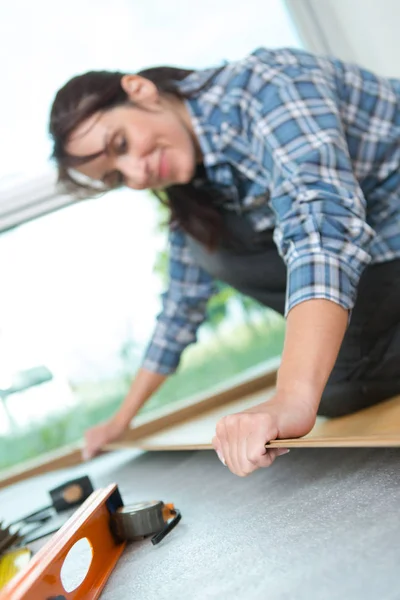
point(148, 144)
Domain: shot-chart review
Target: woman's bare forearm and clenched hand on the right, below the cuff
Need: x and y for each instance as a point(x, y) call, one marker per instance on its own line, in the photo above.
point(314, 332)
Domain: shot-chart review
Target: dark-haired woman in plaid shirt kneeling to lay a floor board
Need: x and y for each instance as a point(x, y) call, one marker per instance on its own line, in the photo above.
point(281, 172)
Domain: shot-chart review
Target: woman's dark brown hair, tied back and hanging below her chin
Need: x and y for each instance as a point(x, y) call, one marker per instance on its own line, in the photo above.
point(193, 208)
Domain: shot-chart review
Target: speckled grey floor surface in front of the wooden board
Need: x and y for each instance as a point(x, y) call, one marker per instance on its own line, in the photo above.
point(318, 524)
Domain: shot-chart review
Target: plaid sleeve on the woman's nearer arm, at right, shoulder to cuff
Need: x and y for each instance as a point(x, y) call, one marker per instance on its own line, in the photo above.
point(321, 230)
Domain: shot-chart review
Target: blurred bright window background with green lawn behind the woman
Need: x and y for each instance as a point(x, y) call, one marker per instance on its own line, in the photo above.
point(80, 282)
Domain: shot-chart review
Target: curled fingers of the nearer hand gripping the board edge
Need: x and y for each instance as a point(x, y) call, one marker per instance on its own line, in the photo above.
point(240, 442)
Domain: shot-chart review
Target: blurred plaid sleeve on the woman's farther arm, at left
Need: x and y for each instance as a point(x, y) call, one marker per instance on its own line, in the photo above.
point(183, 308)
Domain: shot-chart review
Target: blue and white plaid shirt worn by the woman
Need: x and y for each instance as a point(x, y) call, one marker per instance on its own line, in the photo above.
point(307, 146)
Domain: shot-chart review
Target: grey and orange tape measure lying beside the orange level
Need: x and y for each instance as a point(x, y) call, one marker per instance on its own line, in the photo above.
point(137, 521)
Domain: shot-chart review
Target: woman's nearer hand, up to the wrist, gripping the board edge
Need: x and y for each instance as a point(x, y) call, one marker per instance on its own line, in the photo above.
point(240, 438)
